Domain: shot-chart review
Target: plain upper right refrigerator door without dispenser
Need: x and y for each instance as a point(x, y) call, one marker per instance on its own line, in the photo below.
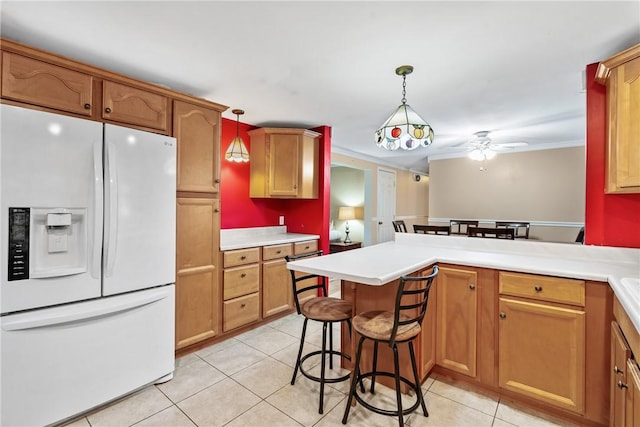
point(140, 210)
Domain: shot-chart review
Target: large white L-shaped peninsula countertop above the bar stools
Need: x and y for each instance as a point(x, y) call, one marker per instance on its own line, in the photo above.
point(385, 262)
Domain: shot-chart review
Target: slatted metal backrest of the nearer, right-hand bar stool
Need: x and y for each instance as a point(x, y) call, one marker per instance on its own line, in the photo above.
point(409, 308)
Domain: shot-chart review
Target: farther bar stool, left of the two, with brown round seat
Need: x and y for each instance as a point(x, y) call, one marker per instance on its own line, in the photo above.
point(324, 309)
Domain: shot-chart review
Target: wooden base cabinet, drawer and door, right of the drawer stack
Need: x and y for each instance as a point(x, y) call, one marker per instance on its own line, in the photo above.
point(277, 291)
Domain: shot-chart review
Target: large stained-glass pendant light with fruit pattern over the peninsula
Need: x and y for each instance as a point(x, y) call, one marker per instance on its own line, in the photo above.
point(405, 128)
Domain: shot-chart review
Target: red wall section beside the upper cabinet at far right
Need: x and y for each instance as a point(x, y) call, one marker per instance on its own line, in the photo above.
point(610, 219)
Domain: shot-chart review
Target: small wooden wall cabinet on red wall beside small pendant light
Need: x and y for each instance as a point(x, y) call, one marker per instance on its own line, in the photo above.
point(284, 163)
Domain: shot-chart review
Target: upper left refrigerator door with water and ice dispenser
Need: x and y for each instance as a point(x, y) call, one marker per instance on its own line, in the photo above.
point(51, 164)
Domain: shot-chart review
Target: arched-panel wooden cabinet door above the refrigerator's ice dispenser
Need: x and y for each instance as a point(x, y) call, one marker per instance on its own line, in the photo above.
point(43, 84)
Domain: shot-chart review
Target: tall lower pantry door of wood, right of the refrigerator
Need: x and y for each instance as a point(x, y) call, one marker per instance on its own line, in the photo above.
point(197, 285)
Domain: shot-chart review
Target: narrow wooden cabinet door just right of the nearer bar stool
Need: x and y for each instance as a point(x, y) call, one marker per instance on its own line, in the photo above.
point(457, 320)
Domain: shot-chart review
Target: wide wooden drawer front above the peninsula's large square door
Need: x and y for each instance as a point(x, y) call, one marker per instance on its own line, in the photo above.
point(553, 289)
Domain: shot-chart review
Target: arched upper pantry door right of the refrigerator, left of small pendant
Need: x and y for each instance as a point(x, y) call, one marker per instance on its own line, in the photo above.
point(197, 130)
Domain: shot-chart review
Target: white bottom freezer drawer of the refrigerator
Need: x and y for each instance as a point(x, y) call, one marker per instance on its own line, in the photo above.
point(58, 362)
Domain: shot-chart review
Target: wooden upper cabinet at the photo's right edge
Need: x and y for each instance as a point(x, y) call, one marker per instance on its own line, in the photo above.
point(621, 74)
